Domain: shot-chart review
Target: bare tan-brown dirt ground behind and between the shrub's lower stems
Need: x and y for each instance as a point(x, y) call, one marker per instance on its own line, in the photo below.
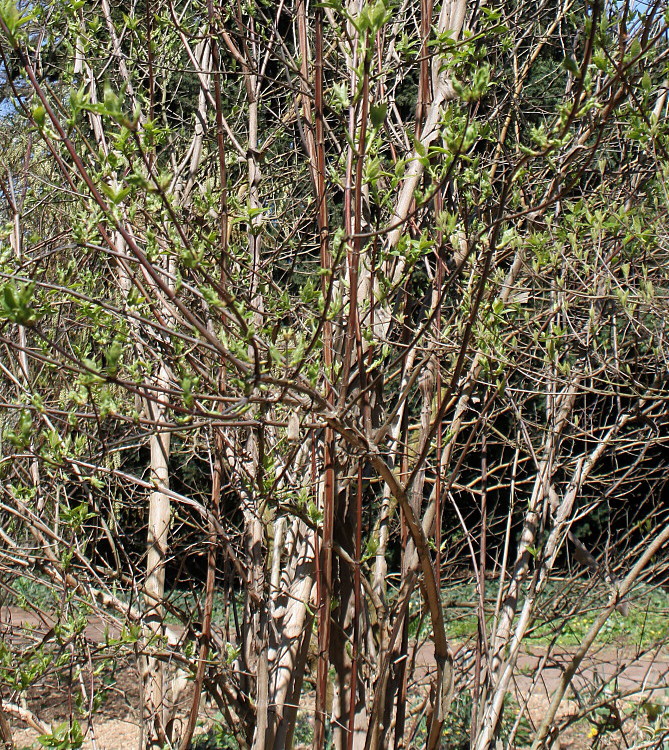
point(115, 722)
